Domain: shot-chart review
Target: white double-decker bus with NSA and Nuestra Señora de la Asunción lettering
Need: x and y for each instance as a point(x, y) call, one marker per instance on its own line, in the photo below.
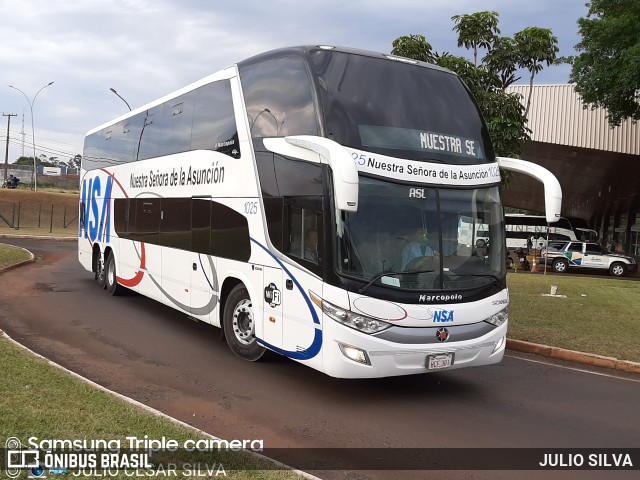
point(308, 201)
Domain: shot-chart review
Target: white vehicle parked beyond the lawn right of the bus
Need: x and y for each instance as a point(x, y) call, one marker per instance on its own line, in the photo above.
point(564, 255)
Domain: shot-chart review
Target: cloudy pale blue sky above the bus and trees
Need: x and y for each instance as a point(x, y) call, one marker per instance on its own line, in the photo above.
point(145, 49)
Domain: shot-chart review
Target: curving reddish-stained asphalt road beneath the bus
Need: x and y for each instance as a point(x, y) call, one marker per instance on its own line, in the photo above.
point(158, 356)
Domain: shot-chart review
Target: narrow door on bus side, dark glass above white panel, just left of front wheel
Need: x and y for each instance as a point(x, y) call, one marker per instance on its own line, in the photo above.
point(204, 280)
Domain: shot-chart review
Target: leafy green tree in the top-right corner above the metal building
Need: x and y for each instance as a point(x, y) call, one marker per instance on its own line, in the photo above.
point(607, 72)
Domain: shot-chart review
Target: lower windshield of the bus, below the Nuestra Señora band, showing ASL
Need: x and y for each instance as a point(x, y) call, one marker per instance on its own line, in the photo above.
point(423, 238)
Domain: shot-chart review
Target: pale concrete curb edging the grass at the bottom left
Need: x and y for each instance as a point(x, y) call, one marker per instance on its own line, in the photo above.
point(149, 409)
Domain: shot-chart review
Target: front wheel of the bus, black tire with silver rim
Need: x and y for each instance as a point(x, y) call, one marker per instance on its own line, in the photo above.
point(239, 325)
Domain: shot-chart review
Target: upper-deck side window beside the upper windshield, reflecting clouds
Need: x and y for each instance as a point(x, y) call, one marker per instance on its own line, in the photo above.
point(278, 97)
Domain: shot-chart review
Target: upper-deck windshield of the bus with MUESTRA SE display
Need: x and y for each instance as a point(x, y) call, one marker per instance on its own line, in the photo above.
point(407, 111)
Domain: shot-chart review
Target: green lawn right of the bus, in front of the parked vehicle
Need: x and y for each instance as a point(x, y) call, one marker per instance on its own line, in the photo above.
point(598, 316)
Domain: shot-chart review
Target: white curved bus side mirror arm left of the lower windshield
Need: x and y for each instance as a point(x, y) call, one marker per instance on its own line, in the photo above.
point(324, 151)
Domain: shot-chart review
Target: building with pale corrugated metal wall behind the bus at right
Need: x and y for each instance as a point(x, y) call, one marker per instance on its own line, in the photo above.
point(597, 166)
